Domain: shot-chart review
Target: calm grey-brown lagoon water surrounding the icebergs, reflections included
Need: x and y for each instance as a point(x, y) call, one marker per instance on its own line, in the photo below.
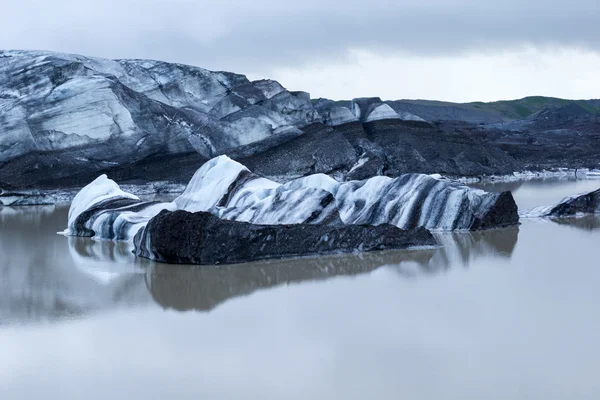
point(508, 314)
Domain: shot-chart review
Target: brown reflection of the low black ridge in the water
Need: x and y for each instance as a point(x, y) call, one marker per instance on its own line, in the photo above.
point(203, 288)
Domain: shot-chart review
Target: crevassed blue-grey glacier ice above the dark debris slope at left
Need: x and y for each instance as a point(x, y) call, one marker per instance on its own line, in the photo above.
point(54, 101)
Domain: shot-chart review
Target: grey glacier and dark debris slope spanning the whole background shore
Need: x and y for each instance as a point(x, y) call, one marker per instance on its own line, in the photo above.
point(65, 119)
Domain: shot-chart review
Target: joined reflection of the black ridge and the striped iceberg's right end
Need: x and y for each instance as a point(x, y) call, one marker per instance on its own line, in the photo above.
point(203, 288)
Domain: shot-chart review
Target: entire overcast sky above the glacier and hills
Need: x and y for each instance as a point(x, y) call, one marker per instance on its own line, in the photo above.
point(458, 50)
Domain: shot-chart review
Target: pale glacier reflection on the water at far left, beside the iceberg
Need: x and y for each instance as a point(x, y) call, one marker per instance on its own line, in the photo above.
point(40, 280)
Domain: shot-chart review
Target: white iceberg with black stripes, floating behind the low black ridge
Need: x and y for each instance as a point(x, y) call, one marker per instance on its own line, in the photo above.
point(229, 190)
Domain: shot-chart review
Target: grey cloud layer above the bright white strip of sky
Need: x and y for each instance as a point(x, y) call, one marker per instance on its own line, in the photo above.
point(254, 36)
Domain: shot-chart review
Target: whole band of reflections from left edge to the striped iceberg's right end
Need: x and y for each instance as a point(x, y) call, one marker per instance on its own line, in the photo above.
point(46, 276)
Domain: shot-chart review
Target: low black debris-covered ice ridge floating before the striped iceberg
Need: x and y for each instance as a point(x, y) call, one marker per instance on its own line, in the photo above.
point(201, 238)
